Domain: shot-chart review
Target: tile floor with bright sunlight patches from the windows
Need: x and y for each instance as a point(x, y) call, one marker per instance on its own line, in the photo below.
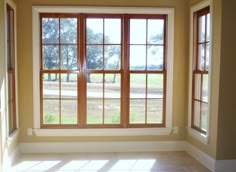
point(109, 162)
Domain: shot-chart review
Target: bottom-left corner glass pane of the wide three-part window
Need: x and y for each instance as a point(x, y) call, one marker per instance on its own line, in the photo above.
point(51, 112)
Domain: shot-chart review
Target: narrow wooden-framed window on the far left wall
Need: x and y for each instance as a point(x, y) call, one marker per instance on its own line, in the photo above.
point(11, 72)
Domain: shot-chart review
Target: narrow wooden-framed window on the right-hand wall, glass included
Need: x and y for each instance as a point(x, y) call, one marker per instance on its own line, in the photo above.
point(200, 71)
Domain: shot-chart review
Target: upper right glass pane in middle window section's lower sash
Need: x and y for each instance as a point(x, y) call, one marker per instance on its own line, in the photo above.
point(112, 86)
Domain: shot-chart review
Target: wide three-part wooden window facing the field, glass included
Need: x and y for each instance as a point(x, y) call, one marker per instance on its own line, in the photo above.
point(106, 70)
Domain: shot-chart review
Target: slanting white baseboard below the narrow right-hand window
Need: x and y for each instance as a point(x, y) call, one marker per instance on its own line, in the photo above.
point(199, 155)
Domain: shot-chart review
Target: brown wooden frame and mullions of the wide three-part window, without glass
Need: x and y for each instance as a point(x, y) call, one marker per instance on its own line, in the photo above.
point(124, 71)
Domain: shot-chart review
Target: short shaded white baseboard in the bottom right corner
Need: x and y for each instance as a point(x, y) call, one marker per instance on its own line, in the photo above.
point(225, 165)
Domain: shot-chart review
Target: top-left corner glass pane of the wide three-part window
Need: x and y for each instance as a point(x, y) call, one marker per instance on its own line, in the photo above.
point(50, 30)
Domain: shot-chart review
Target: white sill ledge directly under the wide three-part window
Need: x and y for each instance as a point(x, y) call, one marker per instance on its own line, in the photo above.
point(103, 132)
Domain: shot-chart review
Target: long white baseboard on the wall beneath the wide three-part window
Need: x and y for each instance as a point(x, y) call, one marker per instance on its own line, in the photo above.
point(134, 146)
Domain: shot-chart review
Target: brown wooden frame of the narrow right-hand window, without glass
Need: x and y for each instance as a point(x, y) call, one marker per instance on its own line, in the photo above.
point(197, 69)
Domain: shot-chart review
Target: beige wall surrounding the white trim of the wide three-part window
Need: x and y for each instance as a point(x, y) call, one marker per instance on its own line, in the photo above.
point(180, 86)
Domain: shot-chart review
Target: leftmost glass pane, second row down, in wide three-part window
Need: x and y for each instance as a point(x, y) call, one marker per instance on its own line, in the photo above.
point(50, 57)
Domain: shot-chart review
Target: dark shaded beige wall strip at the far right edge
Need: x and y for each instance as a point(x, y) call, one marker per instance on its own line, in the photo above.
point(226, 141)
